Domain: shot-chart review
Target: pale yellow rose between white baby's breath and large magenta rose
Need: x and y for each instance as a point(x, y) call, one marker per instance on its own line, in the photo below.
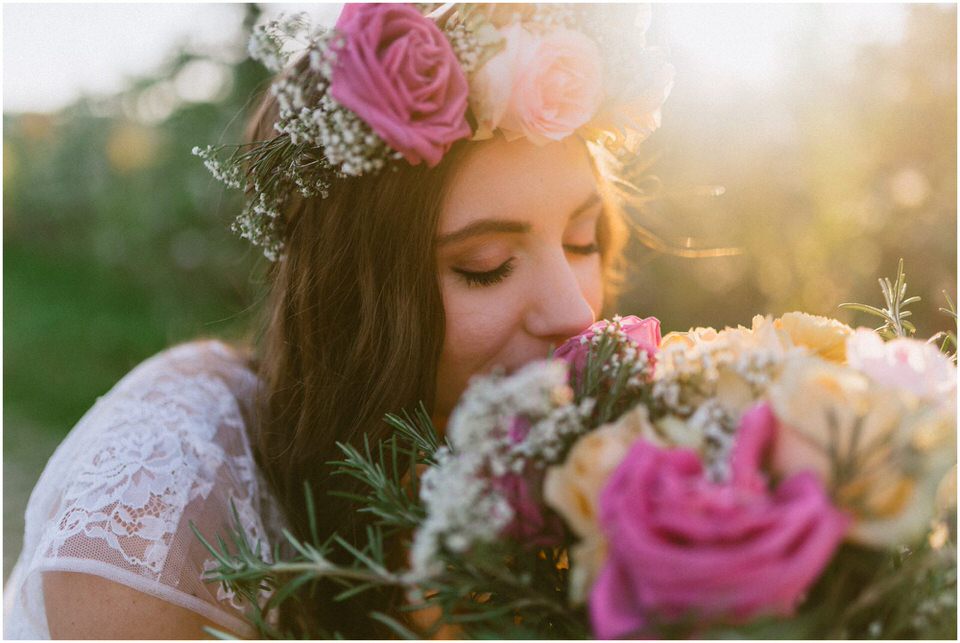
point(573, 489)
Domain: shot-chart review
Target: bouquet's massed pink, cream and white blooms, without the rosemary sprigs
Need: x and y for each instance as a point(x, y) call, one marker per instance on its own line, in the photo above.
point(709, 478)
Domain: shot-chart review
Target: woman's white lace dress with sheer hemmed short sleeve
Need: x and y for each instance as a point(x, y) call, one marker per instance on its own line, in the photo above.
point(166, 447)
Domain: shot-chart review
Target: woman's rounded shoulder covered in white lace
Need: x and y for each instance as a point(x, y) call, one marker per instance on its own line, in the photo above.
point(167, 435)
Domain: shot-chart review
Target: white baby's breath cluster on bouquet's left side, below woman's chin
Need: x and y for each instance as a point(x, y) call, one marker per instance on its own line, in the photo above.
point(463, 506)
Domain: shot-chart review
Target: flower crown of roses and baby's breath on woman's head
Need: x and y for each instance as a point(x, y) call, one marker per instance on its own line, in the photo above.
point(395, 83)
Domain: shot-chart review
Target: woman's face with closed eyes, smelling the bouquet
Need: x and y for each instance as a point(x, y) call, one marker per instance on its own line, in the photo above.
point(517, 257)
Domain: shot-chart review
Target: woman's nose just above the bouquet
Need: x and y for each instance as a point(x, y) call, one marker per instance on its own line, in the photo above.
point(558, 307)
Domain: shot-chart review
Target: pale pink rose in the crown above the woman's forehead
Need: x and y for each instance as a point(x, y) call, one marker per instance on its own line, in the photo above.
point(543, 87)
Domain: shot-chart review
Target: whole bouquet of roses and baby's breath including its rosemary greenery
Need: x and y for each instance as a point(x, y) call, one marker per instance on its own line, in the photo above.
point(792, 479)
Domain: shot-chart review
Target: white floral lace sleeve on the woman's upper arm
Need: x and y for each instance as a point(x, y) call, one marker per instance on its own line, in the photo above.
point(159, 442)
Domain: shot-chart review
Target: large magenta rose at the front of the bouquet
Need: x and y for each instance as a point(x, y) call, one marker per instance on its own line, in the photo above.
point(680, 545)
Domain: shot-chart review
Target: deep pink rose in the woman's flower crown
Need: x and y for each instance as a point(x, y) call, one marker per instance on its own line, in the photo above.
point(398, 73)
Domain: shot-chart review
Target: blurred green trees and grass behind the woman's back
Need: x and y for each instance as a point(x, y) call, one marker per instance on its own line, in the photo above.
point(108, 216)
